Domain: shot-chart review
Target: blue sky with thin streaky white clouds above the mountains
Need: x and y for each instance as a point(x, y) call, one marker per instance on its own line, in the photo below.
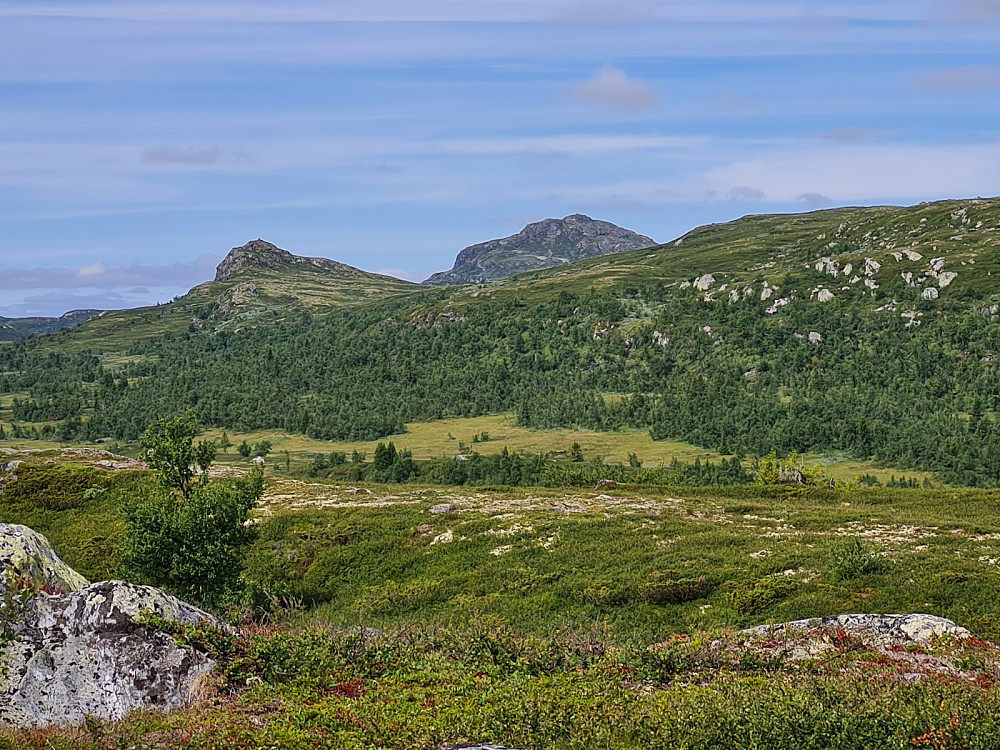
point(140, 141)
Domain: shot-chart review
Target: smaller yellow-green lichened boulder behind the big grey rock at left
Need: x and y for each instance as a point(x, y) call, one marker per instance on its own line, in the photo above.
point(27, 556)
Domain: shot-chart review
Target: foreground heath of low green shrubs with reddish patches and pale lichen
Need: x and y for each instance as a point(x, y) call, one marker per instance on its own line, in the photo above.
point(568, 619)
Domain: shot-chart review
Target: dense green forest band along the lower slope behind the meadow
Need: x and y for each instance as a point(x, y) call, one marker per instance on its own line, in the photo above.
point(720, 375)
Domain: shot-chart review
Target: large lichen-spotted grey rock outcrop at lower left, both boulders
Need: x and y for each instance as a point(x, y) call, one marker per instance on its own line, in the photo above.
point(86, 651)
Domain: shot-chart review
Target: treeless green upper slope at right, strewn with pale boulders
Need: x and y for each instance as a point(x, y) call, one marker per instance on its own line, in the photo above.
point(865, 254)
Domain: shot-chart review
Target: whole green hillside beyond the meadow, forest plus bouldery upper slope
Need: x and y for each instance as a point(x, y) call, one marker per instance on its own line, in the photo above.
point(866, 333)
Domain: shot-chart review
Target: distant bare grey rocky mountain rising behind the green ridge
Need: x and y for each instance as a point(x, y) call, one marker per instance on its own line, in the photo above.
point(552, 242)
